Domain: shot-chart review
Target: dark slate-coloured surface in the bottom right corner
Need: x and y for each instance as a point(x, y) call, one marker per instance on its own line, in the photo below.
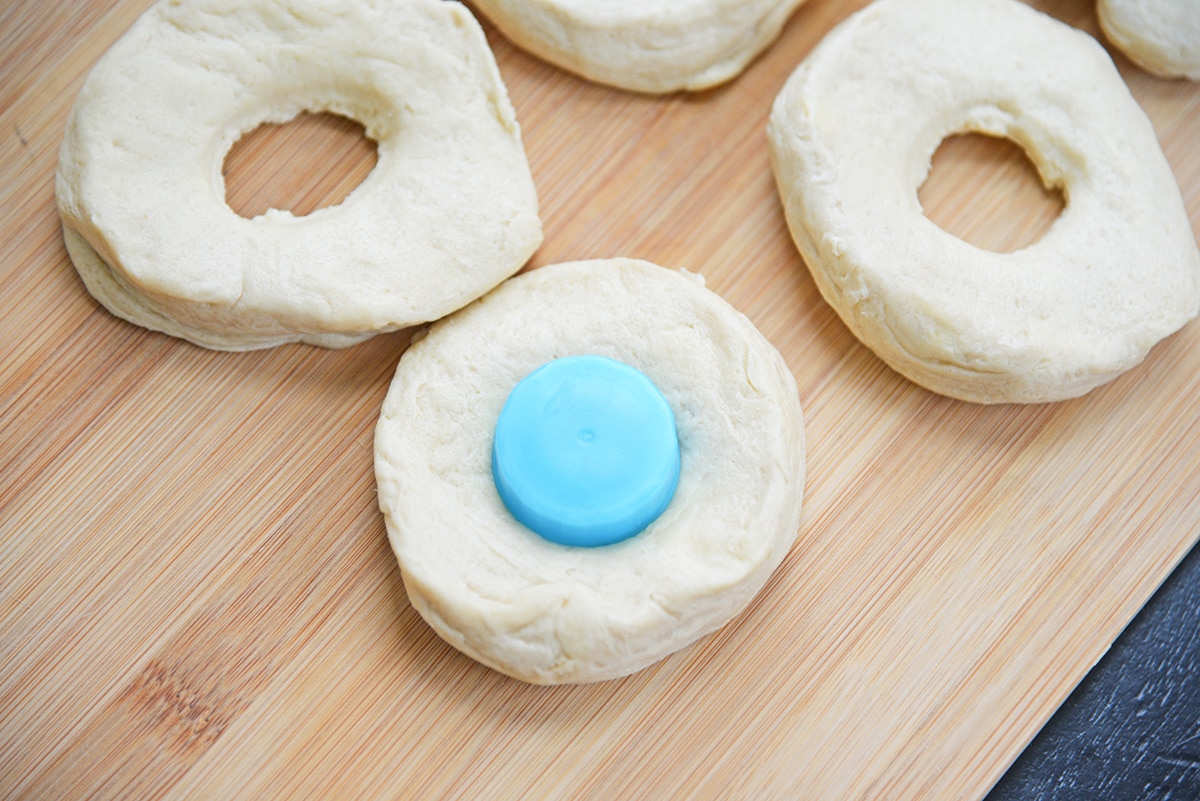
point(1132, 728)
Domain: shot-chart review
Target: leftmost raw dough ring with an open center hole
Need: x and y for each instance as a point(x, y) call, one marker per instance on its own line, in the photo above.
point(448, 213)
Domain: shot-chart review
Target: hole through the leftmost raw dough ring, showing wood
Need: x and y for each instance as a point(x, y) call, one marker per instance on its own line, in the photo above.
point(308, 164)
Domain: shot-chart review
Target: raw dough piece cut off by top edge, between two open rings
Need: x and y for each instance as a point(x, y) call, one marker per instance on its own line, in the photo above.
point(650, 46)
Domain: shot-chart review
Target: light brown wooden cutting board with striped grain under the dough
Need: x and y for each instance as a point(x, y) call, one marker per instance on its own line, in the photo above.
point(197, 599)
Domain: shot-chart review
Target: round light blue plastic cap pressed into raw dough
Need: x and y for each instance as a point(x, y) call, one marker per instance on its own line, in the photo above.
point(586, 451)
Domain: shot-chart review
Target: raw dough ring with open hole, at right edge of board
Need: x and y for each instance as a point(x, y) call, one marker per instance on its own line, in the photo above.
point(853, 135)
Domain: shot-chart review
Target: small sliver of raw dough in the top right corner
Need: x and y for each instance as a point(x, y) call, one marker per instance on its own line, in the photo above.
point(1161, 37)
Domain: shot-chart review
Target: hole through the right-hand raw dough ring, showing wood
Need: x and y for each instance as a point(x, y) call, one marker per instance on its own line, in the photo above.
point(986, 190)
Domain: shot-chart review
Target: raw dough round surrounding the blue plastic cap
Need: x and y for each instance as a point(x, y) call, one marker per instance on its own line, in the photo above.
point(556, 615)
